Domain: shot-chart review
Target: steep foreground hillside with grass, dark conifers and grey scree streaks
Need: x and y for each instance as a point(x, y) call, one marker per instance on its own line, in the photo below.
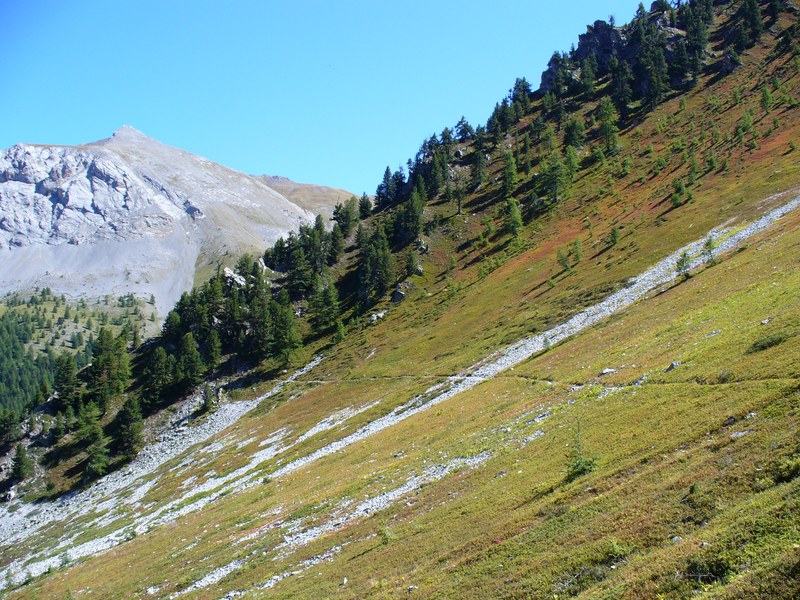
point(585, 383)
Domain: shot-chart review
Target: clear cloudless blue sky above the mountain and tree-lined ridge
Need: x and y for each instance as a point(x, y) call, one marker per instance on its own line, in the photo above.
point(326, 92)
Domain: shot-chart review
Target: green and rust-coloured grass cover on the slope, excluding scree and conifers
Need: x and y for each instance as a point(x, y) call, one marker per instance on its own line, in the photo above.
point(667, 462)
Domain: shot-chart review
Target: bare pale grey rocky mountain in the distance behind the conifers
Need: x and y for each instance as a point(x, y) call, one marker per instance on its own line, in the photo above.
point(130, 214)
